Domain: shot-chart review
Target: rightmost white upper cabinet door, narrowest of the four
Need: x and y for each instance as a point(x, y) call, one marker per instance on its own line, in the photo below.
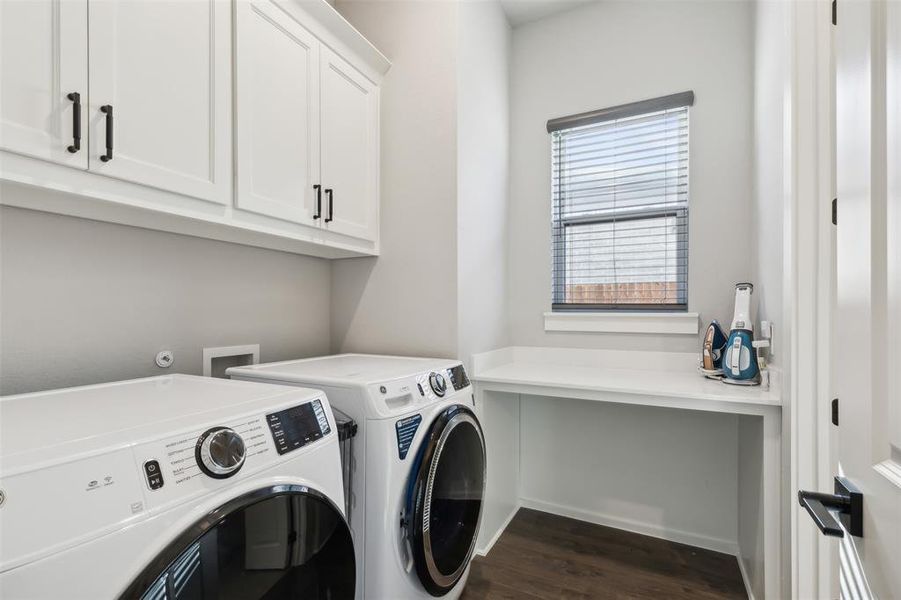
point(350, 139)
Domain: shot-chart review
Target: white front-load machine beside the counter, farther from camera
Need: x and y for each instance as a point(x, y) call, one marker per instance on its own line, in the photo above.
point(422, 454)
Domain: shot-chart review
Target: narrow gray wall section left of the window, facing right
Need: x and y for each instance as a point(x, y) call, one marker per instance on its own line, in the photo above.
point(483, 135)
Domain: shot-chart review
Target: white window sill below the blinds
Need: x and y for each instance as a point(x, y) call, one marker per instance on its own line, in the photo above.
point(673, 323)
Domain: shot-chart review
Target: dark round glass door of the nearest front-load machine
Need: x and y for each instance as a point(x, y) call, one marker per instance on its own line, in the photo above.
point(279, 542)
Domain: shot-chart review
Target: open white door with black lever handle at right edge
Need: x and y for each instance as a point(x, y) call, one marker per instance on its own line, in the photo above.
point(868, 277)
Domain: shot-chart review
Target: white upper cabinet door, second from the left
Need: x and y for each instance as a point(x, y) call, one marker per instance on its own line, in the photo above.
point(165, 68)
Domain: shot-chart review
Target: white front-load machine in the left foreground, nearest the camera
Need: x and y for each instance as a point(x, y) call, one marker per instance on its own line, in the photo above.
point(173, 486)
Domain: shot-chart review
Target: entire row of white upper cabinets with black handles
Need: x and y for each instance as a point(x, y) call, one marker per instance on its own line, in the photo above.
point(250, 121)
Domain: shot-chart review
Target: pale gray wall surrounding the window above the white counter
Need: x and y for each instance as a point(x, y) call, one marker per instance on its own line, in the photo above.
point(609, 53)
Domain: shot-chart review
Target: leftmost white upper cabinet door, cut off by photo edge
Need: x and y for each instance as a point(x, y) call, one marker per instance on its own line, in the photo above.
point(43, 59)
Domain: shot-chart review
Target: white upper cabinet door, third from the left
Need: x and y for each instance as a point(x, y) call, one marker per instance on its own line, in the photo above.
point(277, 95)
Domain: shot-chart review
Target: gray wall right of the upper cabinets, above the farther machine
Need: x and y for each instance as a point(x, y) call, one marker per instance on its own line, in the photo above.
point(405, 302)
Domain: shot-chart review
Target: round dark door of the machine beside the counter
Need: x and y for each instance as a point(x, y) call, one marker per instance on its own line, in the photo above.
point(445, 501)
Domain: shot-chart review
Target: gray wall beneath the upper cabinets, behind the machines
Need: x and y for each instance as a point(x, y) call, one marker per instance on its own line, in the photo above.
point(86, 302)
